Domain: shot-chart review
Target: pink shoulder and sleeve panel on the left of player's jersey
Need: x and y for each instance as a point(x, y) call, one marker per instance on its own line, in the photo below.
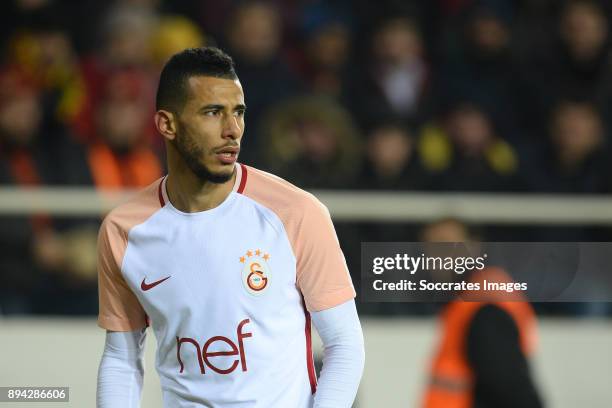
point(119, 309)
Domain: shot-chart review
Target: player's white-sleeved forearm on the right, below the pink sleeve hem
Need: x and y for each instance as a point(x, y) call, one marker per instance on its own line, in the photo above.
point(344, 355)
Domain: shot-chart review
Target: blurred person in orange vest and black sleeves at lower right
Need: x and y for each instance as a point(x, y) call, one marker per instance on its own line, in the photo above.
point(482, 357)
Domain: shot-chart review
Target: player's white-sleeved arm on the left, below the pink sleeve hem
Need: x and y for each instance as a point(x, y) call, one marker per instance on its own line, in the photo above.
point(121, 371)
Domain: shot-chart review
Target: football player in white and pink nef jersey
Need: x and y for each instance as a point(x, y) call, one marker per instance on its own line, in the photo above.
point(228, 265)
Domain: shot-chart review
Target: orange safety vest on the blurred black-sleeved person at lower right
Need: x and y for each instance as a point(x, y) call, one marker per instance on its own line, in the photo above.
point(452, 380)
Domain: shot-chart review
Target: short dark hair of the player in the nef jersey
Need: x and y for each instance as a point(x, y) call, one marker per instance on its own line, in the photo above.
point(205, 61)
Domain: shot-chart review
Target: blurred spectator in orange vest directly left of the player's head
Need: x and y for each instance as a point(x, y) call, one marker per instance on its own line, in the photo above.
point(120, 155)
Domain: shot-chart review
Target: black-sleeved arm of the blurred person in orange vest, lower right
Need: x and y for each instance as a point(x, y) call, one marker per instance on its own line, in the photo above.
point(501, 369)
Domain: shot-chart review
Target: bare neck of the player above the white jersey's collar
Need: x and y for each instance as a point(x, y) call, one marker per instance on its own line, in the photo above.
point(189, 194)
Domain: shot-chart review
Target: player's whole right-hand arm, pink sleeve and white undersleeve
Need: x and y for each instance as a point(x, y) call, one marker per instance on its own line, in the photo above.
point(325, 283)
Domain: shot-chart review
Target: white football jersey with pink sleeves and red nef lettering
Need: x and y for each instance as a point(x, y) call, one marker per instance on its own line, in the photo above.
point(227, 291)
